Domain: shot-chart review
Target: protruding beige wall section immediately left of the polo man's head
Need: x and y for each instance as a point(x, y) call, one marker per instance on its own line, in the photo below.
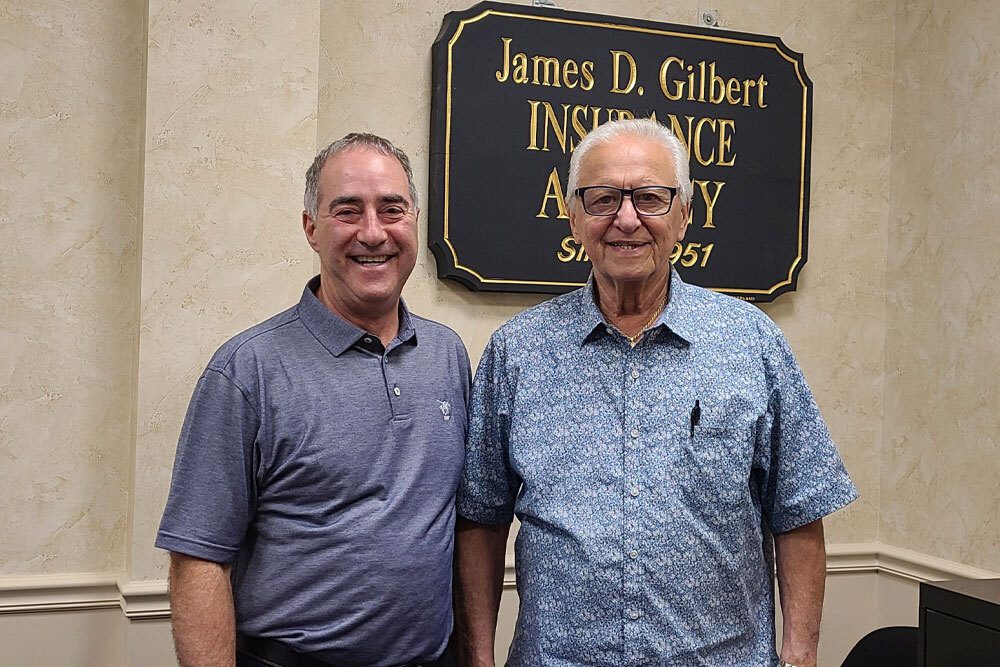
point(231, 91)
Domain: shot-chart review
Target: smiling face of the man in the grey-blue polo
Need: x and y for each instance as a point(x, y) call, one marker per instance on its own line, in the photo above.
point(365, 234)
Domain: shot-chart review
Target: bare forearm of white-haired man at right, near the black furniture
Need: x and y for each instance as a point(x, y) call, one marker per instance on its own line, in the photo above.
point(800, 556)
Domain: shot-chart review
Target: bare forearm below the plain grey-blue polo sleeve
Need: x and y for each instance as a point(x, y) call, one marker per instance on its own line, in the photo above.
point(201, 603)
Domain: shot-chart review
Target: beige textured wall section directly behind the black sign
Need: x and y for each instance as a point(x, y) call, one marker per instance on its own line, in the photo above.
point(375, 73)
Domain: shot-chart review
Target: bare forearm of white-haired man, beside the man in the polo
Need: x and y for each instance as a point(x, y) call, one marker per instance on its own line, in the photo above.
point(479, 563)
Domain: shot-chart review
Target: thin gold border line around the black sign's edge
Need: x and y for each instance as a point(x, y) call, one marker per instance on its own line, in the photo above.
point(628, 28)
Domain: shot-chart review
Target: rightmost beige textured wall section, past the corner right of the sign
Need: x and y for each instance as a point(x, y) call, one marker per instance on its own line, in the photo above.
point(941, 467)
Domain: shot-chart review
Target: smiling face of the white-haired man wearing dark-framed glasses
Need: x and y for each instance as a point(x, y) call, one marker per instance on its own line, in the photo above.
point(629, 250)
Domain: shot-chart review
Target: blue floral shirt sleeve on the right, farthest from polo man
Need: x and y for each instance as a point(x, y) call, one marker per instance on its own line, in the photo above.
point(802, 477)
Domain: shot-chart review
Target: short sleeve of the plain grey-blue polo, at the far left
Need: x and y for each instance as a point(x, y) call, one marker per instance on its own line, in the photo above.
point(212, 491)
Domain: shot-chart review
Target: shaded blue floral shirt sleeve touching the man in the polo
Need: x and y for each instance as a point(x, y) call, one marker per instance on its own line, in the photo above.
point(488, 488)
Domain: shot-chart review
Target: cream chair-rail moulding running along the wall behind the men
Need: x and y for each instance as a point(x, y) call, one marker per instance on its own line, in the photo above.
point(146, 600)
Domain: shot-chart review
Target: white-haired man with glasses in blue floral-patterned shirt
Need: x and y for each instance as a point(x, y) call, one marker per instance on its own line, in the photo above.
point(658, 443)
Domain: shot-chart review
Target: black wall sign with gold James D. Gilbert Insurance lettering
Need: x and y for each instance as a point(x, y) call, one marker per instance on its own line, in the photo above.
point(517, 87)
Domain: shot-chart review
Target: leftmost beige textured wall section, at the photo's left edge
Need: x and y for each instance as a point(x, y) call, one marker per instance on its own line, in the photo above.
point(70, 82)
